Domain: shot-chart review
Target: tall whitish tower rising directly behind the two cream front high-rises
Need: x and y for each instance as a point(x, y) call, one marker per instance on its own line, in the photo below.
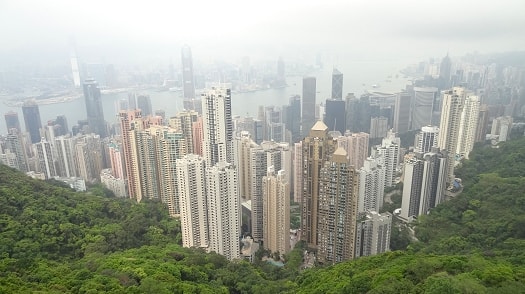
point(217, 126)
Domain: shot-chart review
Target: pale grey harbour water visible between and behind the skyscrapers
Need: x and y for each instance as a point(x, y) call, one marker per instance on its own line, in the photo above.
point(358, 77)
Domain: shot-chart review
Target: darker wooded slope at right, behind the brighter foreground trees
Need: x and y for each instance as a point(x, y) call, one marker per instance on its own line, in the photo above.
point(489, 216)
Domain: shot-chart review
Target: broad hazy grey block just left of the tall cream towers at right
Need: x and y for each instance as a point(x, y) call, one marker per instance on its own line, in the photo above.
point(422, 107)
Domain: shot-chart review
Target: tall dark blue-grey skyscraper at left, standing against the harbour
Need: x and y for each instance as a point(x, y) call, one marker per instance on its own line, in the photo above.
point(95, 113)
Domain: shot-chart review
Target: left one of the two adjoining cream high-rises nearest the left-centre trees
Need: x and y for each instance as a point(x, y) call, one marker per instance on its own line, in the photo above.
point(193, 202)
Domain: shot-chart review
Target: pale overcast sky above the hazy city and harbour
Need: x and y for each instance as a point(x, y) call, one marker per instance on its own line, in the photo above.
point(127, 30)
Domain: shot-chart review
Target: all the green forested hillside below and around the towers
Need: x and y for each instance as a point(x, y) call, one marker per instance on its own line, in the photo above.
point(54, 240)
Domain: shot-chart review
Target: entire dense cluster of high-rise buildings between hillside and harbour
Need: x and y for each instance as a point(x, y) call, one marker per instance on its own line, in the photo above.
point(231, 179)
